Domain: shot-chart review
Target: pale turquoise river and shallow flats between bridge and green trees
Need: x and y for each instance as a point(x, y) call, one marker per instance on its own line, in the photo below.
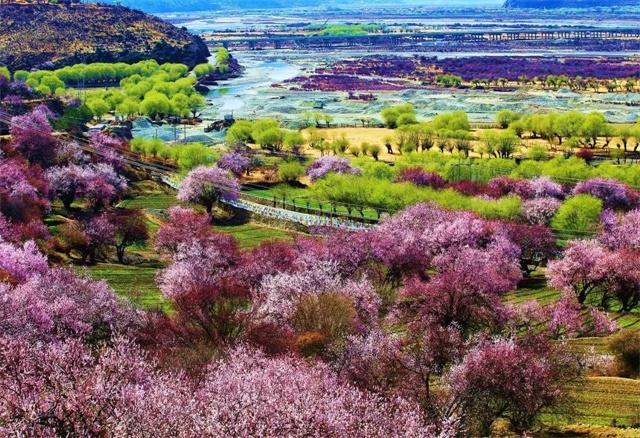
point(253, 96)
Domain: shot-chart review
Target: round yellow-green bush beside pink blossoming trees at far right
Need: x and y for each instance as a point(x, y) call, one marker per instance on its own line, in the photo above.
point(579, 214)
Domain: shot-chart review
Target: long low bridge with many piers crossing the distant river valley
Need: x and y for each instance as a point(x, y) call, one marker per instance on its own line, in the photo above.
point(278, 41)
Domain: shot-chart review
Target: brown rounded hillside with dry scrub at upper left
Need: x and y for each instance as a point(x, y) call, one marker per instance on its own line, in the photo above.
point(37, 35)
